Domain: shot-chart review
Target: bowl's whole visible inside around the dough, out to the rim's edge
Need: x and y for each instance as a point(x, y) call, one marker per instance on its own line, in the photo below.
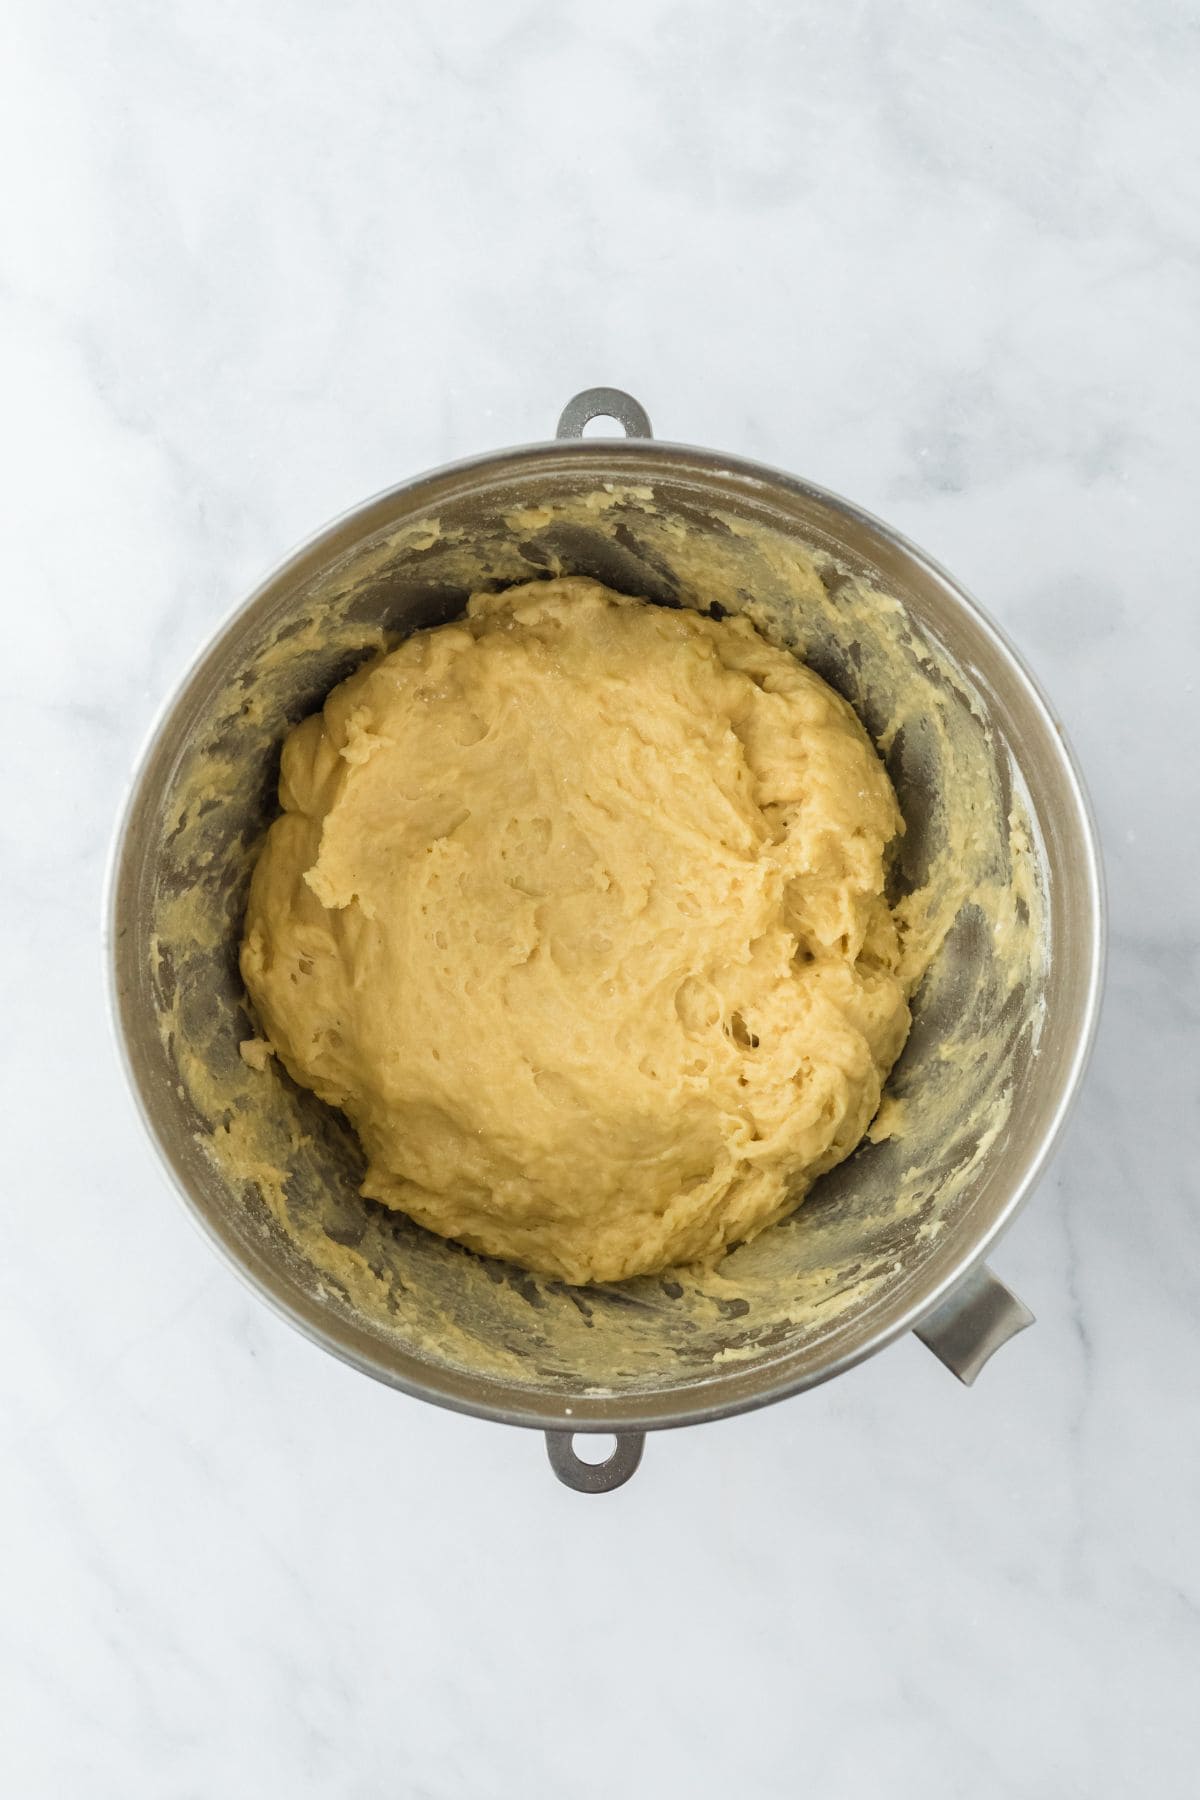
point(987, 795)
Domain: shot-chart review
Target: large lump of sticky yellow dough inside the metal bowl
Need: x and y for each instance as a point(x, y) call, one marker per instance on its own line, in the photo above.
point(577, 910)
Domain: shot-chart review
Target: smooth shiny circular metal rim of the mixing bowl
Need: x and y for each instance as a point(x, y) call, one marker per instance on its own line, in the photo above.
point(758, 1383)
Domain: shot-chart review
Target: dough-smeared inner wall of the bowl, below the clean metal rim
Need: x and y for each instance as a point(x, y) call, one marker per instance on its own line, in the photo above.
point(965, 892)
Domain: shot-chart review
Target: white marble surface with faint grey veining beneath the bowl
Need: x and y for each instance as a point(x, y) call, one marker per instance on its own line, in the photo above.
point(260, 260)
